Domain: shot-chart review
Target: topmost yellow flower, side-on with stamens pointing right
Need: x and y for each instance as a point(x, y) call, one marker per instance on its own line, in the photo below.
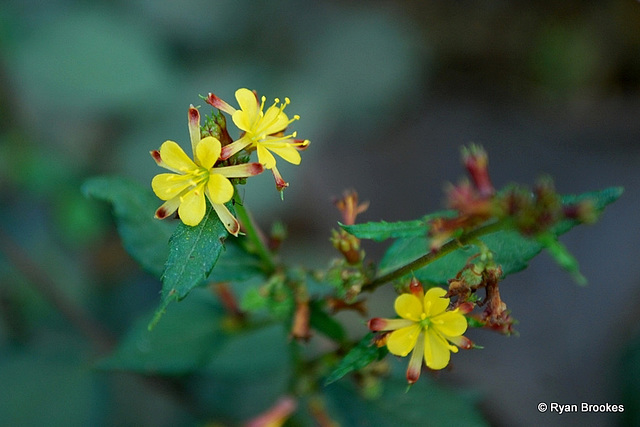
point(263, 130)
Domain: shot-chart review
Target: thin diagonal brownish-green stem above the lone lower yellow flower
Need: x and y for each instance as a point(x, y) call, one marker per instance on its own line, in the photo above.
point(429, 257)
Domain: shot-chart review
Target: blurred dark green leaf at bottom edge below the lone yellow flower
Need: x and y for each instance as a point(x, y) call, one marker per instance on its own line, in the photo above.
point(425, 403)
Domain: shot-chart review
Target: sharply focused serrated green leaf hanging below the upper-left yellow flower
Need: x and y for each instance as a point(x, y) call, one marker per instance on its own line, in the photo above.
point(193, 253)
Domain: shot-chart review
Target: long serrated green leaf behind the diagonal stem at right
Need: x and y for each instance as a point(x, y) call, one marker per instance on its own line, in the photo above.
point(511, 250)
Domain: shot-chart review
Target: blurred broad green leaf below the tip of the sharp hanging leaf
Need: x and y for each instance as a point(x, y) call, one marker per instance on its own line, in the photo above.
point(184, 342)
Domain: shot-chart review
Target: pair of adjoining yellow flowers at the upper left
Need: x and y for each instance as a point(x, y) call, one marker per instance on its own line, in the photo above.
point(207, 175)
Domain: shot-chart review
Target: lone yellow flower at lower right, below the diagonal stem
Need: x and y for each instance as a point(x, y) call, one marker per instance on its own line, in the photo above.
point(425, 327)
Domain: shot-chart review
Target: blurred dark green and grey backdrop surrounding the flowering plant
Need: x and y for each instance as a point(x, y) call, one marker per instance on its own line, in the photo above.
point(388, 91)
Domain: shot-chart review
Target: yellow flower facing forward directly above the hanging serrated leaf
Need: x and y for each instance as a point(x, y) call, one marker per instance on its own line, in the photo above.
point(192, 180)
